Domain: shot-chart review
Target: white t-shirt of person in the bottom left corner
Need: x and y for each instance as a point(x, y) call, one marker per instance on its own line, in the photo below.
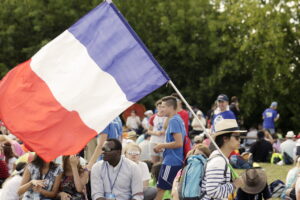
point(10, 188)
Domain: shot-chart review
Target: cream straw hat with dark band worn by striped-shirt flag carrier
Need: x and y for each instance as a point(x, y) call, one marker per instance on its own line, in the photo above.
point(227, 126)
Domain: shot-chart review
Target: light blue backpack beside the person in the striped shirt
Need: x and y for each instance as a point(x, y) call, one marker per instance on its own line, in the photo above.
point(189, 186)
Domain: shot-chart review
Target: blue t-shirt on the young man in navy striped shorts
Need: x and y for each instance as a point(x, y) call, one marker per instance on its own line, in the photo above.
point(174, 157)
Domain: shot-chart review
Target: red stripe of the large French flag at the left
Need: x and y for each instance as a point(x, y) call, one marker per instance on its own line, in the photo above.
point(31, 112)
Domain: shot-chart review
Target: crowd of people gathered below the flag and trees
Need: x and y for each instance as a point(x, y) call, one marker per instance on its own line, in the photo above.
point(153, 158)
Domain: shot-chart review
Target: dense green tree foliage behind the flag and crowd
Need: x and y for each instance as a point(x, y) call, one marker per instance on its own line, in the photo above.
point(247, 48)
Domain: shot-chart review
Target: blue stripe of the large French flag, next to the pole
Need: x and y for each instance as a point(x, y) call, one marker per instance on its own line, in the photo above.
point(117, 49)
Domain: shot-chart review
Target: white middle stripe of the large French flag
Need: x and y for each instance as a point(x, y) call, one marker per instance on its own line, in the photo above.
point(78, 83)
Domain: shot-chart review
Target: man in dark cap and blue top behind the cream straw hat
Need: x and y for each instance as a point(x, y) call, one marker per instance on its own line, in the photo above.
point(222, 112)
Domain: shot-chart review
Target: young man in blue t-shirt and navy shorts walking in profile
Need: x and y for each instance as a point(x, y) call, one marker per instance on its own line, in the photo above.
point(173, 147)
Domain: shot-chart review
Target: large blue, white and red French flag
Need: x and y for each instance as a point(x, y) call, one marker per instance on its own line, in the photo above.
point(79, 82)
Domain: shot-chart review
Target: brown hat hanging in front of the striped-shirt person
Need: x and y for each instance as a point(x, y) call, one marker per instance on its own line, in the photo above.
point(255, 180)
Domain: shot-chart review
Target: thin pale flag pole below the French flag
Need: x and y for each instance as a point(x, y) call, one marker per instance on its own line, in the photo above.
point(234, 174)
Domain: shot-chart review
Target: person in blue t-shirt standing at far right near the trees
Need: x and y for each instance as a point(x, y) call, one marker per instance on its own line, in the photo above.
point(270, 116)
